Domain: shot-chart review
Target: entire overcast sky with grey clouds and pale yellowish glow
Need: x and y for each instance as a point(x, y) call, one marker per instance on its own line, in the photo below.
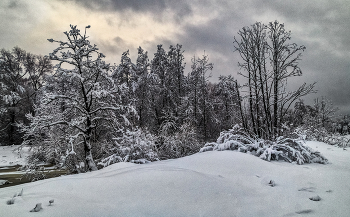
point(323, 26)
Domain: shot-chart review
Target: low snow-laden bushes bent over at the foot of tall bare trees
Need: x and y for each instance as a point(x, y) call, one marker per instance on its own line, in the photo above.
point(290, 150)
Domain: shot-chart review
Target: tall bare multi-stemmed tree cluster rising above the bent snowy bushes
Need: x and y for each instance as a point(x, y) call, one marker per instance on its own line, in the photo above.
point(268, 61)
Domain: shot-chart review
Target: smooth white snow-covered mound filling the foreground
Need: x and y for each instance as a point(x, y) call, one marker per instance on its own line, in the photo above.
point(213, 183)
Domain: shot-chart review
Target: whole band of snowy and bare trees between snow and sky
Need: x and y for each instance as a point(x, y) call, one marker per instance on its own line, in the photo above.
point(72, 102)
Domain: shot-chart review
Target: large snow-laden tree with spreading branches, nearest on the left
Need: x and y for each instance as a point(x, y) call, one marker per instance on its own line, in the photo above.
point(80, 104)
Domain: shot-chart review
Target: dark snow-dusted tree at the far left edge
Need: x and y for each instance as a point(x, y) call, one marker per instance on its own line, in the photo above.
point(21, 75)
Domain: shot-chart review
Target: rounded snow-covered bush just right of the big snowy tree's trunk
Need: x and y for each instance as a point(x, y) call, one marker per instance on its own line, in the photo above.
point(137, 146)
